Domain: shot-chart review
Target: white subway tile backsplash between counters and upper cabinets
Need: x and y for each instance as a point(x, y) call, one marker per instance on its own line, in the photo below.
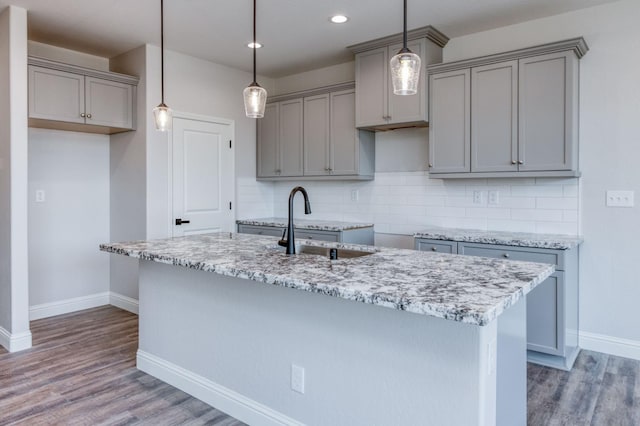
point(404, 202)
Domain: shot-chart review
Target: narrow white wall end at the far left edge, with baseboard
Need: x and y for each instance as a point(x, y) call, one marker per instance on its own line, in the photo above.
point(14, 264)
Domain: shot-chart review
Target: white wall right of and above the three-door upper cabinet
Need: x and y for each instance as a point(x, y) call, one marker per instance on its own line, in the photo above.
point(609, 149)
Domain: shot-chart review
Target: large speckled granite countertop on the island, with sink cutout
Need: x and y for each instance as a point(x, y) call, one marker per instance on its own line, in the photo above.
point(467, 289)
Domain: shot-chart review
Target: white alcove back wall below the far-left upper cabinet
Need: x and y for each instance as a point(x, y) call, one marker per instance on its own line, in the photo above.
point(65, 230)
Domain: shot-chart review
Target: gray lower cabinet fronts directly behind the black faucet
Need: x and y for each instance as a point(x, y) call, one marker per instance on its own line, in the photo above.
point(352, 236)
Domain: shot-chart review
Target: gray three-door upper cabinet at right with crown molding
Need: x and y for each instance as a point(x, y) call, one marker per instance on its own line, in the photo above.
point(523, 109)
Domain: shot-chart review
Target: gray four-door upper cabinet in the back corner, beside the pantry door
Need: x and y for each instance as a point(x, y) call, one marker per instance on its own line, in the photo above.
point(314, 137)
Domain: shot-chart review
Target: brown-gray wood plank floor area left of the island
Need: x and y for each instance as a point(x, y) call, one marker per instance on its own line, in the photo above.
point(81, 371)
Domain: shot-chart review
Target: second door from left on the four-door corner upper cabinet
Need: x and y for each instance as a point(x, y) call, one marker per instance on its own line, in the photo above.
point(291, 133)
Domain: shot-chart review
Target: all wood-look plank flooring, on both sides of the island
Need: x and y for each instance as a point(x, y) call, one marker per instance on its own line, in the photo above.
point(81, 371)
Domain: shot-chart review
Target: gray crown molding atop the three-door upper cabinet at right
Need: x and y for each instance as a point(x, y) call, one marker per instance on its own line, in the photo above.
point(578, 45)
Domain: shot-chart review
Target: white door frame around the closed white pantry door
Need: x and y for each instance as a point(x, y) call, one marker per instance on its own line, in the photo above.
point(207, 119)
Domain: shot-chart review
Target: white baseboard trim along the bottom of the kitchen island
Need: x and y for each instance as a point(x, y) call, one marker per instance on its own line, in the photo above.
point(224, 399)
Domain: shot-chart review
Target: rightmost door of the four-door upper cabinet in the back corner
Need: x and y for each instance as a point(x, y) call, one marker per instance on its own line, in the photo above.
point(344, 147)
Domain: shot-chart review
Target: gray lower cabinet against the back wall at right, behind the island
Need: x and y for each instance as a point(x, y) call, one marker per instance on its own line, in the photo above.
point(552, 307)
